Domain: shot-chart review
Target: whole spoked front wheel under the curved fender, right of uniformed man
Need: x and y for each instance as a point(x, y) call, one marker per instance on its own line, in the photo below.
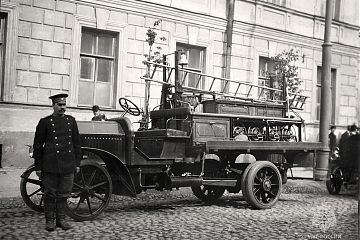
point(91, 192)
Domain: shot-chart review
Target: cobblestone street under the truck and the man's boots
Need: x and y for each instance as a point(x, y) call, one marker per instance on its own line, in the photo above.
point(179, 215)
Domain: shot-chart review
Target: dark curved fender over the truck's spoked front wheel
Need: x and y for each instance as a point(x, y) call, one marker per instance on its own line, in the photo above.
point(123, 183)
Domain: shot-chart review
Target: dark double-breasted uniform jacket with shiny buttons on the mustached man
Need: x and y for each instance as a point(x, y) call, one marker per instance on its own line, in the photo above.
point(57, 146)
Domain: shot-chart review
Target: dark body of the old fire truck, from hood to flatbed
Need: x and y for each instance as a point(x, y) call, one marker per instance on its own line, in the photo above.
point(175, 151)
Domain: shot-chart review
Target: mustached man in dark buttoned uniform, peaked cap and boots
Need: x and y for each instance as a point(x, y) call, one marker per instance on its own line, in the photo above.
point(57, 154)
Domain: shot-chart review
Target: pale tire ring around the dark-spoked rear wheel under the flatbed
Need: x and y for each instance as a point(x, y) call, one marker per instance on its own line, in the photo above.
point(249, 185)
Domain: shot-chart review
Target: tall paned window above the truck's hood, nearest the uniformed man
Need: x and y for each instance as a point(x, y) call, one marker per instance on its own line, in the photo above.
point(97, 68)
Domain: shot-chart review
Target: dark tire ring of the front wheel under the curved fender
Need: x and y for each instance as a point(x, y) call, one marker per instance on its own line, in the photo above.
point(93, 215)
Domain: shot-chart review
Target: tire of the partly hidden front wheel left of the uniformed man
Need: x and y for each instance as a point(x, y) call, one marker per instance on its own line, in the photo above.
point(23, 190)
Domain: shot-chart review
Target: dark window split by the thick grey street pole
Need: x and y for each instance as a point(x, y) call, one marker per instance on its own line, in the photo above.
point(333, 94)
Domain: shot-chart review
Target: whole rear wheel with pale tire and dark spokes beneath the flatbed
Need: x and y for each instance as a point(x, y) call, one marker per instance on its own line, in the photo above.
point(262, 185)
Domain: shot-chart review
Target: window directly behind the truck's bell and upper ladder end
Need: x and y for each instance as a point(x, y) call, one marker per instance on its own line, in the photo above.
point(196, 58)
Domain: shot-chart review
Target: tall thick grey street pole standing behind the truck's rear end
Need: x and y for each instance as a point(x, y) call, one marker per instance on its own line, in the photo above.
point(322, 158)
